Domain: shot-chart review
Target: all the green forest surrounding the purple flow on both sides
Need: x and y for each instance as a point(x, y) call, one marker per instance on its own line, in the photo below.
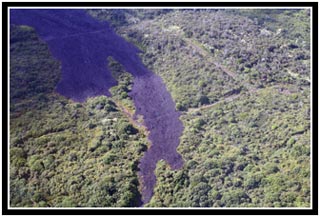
point(241, 79)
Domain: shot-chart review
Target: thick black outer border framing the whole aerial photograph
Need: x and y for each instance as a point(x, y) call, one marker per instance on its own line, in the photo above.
point(81, 211)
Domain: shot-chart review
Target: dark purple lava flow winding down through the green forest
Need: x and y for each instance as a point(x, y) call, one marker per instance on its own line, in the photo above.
point(82, 45)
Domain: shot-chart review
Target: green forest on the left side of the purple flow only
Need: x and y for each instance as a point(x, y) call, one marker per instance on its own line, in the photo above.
point(63, 153)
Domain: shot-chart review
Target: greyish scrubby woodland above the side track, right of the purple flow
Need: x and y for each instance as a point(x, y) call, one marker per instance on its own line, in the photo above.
point(204, 56)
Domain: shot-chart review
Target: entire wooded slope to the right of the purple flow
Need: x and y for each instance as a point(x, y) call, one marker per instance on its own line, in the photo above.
point(242, 80)
